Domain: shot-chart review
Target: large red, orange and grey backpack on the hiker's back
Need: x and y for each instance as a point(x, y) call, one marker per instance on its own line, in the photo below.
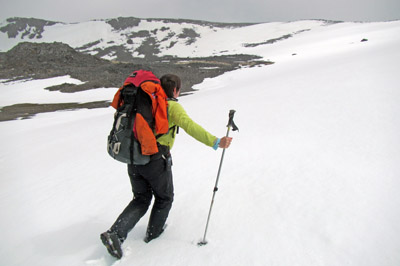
point(140, 118)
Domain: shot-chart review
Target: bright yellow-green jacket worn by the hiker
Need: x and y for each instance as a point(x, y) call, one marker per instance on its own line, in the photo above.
point(177, 116)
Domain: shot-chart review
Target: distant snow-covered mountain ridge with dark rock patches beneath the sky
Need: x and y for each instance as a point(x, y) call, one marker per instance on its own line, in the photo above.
point(124, 38)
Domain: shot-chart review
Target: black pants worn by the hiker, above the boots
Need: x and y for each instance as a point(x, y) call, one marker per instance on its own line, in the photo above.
point(154, 178)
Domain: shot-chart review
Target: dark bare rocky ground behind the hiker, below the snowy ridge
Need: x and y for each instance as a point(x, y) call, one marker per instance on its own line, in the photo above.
point(45, 60)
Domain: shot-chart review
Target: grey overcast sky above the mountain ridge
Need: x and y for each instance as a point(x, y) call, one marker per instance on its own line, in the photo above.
point(209, 10)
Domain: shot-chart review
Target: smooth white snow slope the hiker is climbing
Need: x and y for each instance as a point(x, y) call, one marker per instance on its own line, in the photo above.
point(310, 179)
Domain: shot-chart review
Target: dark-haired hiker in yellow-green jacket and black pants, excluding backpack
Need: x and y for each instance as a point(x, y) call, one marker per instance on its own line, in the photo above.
point(155, 177)
